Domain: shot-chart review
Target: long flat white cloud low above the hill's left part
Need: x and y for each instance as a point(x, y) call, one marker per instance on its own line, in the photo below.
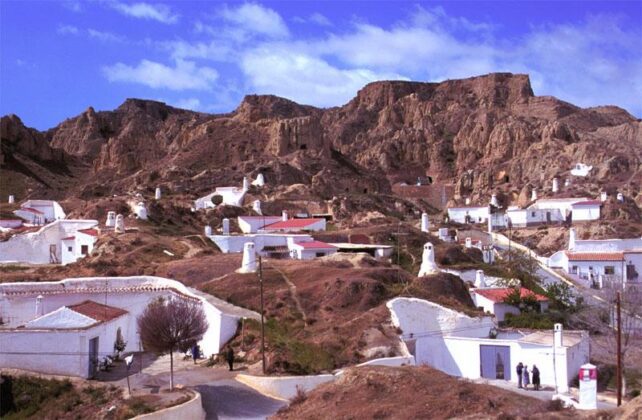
point(185, 75)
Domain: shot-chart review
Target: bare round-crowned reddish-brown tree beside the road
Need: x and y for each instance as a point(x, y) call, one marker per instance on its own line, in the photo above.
point(168, 325)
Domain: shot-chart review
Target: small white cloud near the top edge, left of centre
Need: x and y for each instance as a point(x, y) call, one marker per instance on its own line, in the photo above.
point(257, 19)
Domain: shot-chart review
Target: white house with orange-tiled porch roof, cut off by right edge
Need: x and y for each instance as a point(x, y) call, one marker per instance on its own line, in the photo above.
point(600, 262)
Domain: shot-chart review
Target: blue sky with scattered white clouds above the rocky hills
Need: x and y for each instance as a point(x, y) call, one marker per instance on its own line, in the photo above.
point(58, 58)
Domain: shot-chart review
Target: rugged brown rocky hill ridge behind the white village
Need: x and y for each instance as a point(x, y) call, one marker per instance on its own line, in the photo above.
point(482, 134)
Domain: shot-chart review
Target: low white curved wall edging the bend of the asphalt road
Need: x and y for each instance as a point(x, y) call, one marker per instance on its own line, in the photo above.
point(283, 387)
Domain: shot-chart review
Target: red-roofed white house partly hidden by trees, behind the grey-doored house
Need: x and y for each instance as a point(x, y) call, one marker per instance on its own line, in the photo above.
point(491, 300)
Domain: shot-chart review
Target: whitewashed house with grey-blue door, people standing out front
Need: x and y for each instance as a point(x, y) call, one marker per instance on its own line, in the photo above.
point(473, 348)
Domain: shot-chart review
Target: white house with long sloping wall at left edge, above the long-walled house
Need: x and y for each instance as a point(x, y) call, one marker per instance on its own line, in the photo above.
point(59, 242)
